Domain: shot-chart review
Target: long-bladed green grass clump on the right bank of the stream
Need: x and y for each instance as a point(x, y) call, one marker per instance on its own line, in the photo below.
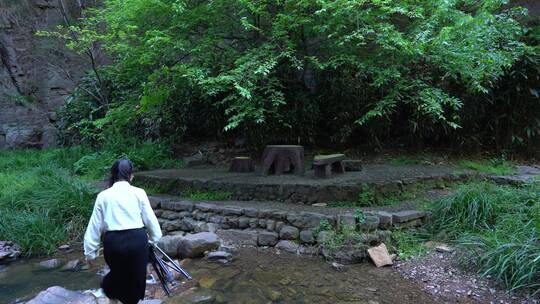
point(499, 229)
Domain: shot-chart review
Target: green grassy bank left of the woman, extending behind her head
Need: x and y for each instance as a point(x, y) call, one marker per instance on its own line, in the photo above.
point(47, 196)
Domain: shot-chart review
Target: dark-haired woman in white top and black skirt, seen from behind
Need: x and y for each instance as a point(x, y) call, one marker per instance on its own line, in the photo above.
point(125, 220)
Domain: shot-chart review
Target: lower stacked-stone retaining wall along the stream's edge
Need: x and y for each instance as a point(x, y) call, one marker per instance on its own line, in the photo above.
point(266, 227)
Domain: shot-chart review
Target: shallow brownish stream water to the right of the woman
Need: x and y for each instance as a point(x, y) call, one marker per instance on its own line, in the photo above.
point(259, 277)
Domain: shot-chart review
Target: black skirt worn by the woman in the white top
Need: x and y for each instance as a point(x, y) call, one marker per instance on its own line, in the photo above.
point(126, 253)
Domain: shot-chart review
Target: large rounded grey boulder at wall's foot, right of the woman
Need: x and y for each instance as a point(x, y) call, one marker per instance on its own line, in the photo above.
point(194, 245)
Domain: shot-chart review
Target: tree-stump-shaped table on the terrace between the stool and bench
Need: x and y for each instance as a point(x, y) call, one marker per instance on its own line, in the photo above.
point(283, 158)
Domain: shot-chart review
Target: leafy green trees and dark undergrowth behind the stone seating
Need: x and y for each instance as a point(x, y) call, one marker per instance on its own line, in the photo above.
point(320, 72)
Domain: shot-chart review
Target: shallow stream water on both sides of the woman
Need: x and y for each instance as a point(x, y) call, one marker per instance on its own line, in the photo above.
point(254, 276)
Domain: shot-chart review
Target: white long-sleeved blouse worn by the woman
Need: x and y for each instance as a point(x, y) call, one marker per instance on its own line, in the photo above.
point(120, 207)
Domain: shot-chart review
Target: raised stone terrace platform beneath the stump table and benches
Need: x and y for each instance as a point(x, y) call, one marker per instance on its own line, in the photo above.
point(380, 178)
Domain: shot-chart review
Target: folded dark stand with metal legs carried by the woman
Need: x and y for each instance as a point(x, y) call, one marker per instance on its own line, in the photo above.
point(163, 265)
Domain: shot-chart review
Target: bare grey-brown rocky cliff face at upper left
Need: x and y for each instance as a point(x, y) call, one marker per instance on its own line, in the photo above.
point(36, 73)
